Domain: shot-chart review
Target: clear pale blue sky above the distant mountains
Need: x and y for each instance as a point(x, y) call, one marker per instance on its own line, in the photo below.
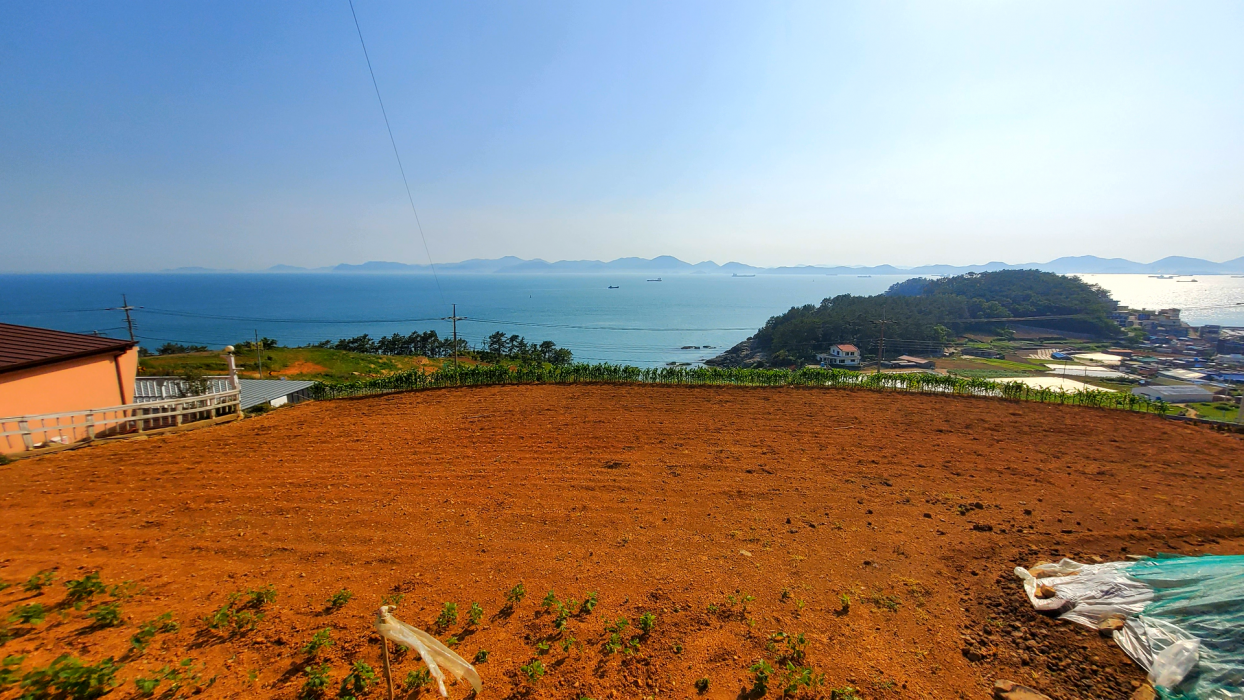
point(142, 136)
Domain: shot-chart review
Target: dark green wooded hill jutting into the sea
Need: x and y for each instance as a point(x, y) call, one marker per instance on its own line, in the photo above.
point(929, 314)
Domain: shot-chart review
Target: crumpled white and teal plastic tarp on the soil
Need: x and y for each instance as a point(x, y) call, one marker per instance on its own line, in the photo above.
point(1182, 617)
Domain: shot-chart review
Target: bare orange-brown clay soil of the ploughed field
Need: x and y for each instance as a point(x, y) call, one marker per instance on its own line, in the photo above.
point(730, 514)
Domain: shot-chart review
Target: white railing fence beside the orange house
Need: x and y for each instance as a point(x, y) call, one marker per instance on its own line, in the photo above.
point(29, 433)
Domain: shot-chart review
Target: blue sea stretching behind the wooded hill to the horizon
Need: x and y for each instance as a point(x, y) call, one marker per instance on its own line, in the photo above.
point(616, 319)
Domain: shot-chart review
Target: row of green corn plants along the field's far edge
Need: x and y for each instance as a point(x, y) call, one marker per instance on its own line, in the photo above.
point(921, 384)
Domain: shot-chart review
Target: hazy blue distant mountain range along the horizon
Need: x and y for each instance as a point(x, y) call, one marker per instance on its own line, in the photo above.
point(670, 265)
